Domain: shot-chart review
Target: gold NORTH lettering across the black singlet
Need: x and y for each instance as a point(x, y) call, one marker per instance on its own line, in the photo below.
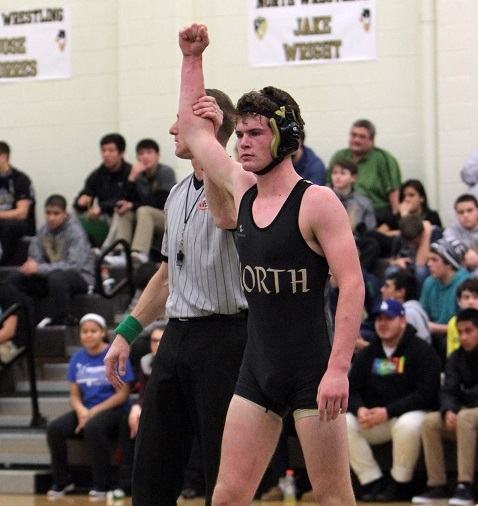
point(273, 281)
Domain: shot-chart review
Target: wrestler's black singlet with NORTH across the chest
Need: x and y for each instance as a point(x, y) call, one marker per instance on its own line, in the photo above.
point(285, 283)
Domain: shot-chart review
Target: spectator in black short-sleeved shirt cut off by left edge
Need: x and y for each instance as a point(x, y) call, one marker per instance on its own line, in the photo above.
point(17, 206)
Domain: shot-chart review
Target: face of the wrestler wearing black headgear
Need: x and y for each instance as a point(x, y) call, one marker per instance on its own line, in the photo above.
point(254, 138)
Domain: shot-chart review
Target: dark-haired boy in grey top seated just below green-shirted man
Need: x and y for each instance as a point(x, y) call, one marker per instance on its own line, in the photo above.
point(359, 209)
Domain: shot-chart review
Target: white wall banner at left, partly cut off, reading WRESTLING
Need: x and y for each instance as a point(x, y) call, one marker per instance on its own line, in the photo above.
point(35, 44)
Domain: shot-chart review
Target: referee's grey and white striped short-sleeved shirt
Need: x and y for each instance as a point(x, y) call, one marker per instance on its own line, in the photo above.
point(208, 279)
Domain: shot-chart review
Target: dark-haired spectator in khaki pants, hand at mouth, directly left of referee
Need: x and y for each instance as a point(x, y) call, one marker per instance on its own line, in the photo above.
point(139, 213)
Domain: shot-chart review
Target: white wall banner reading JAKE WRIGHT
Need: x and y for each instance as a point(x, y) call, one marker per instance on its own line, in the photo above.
point(294, 32)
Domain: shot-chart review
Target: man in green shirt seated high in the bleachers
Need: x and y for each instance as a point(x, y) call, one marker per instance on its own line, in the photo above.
point(379, 175)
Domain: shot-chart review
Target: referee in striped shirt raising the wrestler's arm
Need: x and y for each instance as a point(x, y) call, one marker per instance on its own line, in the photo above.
point(196, 367)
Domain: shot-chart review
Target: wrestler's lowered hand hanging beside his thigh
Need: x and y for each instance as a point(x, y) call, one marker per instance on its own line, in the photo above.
point(332, 395)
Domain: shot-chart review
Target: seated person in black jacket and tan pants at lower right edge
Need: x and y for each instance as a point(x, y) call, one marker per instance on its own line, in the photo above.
point(456, 419)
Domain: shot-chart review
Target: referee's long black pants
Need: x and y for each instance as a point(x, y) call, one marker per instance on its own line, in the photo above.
point(191, 384)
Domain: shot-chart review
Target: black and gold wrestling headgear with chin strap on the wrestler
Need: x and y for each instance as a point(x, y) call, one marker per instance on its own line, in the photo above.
point(285, 136)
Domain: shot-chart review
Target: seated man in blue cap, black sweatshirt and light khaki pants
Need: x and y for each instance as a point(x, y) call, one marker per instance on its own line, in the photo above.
point(393, 382)
